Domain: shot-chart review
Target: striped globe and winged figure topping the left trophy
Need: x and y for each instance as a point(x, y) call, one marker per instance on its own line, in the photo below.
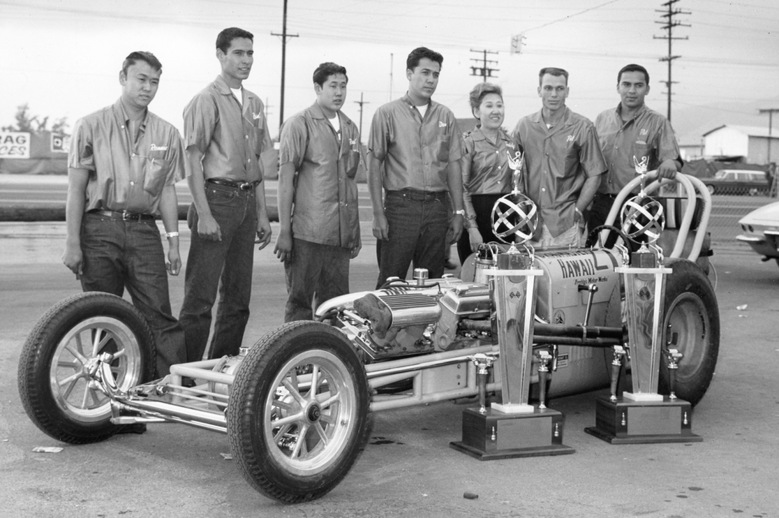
point(514, 216)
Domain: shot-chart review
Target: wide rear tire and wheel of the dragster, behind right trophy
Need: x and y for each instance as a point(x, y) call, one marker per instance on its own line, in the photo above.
point(691, 325)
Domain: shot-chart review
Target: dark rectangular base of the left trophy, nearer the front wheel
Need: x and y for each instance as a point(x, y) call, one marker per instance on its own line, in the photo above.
point(496, 435)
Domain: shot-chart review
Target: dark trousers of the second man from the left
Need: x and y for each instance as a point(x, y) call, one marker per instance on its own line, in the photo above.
point(225, 265)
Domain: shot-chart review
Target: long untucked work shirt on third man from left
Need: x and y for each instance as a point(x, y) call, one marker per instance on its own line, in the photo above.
point(325, 204)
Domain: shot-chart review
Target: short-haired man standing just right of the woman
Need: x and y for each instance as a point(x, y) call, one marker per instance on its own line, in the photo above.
point(563, 163)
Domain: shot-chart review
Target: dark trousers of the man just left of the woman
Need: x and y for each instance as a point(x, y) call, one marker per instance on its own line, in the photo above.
point(418, 225)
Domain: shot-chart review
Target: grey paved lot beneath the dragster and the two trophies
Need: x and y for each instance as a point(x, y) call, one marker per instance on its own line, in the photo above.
point(408, 469)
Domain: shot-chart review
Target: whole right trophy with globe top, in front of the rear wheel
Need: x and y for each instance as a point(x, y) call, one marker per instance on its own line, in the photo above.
point(643, 415)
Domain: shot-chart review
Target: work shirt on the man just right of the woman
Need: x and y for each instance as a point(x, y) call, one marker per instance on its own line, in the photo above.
point(558, 160)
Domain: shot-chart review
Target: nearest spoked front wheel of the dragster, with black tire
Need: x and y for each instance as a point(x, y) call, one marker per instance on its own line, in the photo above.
point(298, 416)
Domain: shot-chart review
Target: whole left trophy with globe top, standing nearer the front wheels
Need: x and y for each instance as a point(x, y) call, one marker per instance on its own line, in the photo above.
point(512, 427)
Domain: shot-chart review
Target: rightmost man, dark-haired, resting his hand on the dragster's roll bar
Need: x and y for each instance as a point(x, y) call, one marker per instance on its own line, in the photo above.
point(631, 130)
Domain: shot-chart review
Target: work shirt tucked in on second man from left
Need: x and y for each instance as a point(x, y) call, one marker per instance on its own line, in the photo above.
point(231, 135)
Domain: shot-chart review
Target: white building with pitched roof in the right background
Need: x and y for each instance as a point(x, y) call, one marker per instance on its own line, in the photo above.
point(749, 142)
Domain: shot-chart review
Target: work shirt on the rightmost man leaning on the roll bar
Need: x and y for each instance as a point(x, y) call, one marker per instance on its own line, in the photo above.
point(646, 134)
